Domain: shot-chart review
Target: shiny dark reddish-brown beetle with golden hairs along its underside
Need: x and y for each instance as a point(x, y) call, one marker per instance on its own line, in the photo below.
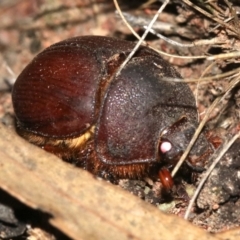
point(69, 101)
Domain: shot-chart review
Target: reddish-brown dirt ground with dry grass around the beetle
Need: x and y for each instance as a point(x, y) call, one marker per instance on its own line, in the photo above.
point(203, 29)
